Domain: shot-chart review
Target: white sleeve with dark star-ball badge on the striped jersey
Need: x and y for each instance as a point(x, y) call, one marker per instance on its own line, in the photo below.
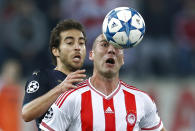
point(59, 118)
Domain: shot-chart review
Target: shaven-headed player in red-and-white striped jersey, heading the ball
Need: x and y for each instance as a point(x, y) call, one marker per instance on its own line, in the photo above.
point(103, 102)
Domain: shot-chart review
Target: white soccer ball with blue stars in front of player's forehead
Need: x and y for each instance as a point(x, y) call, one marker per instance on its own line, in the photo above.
point(123, 27)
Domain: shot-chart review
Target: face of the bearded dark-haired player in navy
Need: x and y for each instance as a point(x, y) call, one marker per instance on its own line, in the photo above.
point(72, 49)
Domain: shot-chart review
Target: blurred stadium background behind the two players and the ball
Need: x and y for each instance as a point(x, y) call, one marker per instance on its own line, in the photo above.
point(163, 64)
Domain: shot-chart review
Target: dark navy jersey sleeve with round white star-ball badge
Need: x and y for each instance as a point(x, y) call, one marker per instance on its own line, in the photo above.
point(35, 87)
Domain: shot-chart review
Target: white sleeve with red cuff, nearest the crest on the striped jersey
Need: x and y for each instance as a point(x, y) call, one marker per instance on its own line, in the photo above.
point(151, 120)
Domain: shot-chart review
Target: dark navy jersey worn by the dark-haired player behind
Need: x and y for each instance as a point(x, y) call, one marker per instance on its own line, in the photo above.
point(40, 83)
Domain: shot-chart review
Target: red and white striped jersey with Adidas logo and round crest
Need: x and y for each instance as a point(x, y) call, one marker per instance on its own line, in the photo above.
point(85, 109)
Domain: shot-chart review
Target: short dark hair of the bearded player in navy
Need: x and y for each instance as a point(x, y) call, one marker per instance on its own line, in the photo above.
point(60, 27)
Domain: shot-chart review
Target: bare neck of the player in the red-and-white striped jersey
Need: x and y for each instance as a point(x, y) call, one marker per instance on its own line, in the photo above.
point(104, 85)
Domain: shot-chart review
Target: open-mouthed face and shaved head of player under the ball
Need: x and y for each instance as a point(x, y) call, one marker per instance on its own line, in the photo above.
point(107, 59)
